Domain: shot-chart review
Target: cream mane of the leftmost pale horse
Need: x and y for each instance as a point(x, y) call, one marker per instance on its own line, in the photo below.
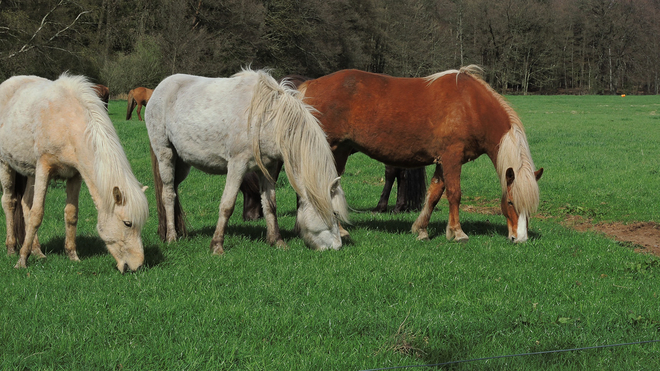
point(111, 167)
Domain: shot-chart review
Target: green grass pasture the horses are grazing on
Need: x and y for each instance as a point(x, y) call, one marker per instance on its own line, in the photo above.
point(385, 299)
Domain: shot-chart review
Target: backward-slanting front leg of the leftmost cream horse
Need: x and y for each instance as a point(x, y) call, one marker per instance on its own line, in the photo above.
point(36, 216)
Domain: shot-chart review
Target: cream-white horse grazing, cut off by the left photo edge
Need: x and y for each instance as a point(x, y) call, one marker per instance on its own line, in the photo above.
point(61, 130)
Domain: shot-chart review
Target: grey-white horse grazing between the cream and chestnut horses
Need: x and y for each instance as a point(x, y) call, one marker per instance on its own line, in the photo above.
point(232, 125)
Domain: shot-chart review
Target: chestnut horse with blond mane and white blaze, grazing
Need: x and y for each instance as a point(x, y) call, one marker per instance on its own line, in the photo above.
point(446, 119)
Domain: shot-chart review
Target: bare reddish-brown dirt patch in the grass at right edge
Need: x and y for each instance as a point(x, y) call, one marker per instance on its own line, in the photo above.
point(644, 235)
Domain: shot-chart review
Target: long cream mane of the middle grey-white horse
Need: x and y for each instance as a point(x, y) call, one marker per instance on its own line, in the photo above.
point(305, 150)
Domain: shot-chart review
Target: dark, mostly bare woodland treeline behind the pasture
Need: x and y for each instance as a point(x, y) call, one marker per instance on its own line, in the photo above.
point(525, 46)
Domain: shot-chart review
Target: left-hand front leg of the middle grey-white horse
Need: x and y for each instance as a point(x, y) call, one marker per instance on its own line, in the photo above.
point(227, 203)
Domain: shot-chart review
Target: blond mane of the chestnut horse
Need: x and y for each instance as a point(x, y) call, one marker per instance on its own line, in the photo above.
point(513, 150)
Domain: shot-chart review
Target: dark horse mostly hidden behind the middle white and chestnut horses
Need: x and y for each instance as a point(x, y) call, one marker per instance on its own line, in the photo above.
point(410, 191)
